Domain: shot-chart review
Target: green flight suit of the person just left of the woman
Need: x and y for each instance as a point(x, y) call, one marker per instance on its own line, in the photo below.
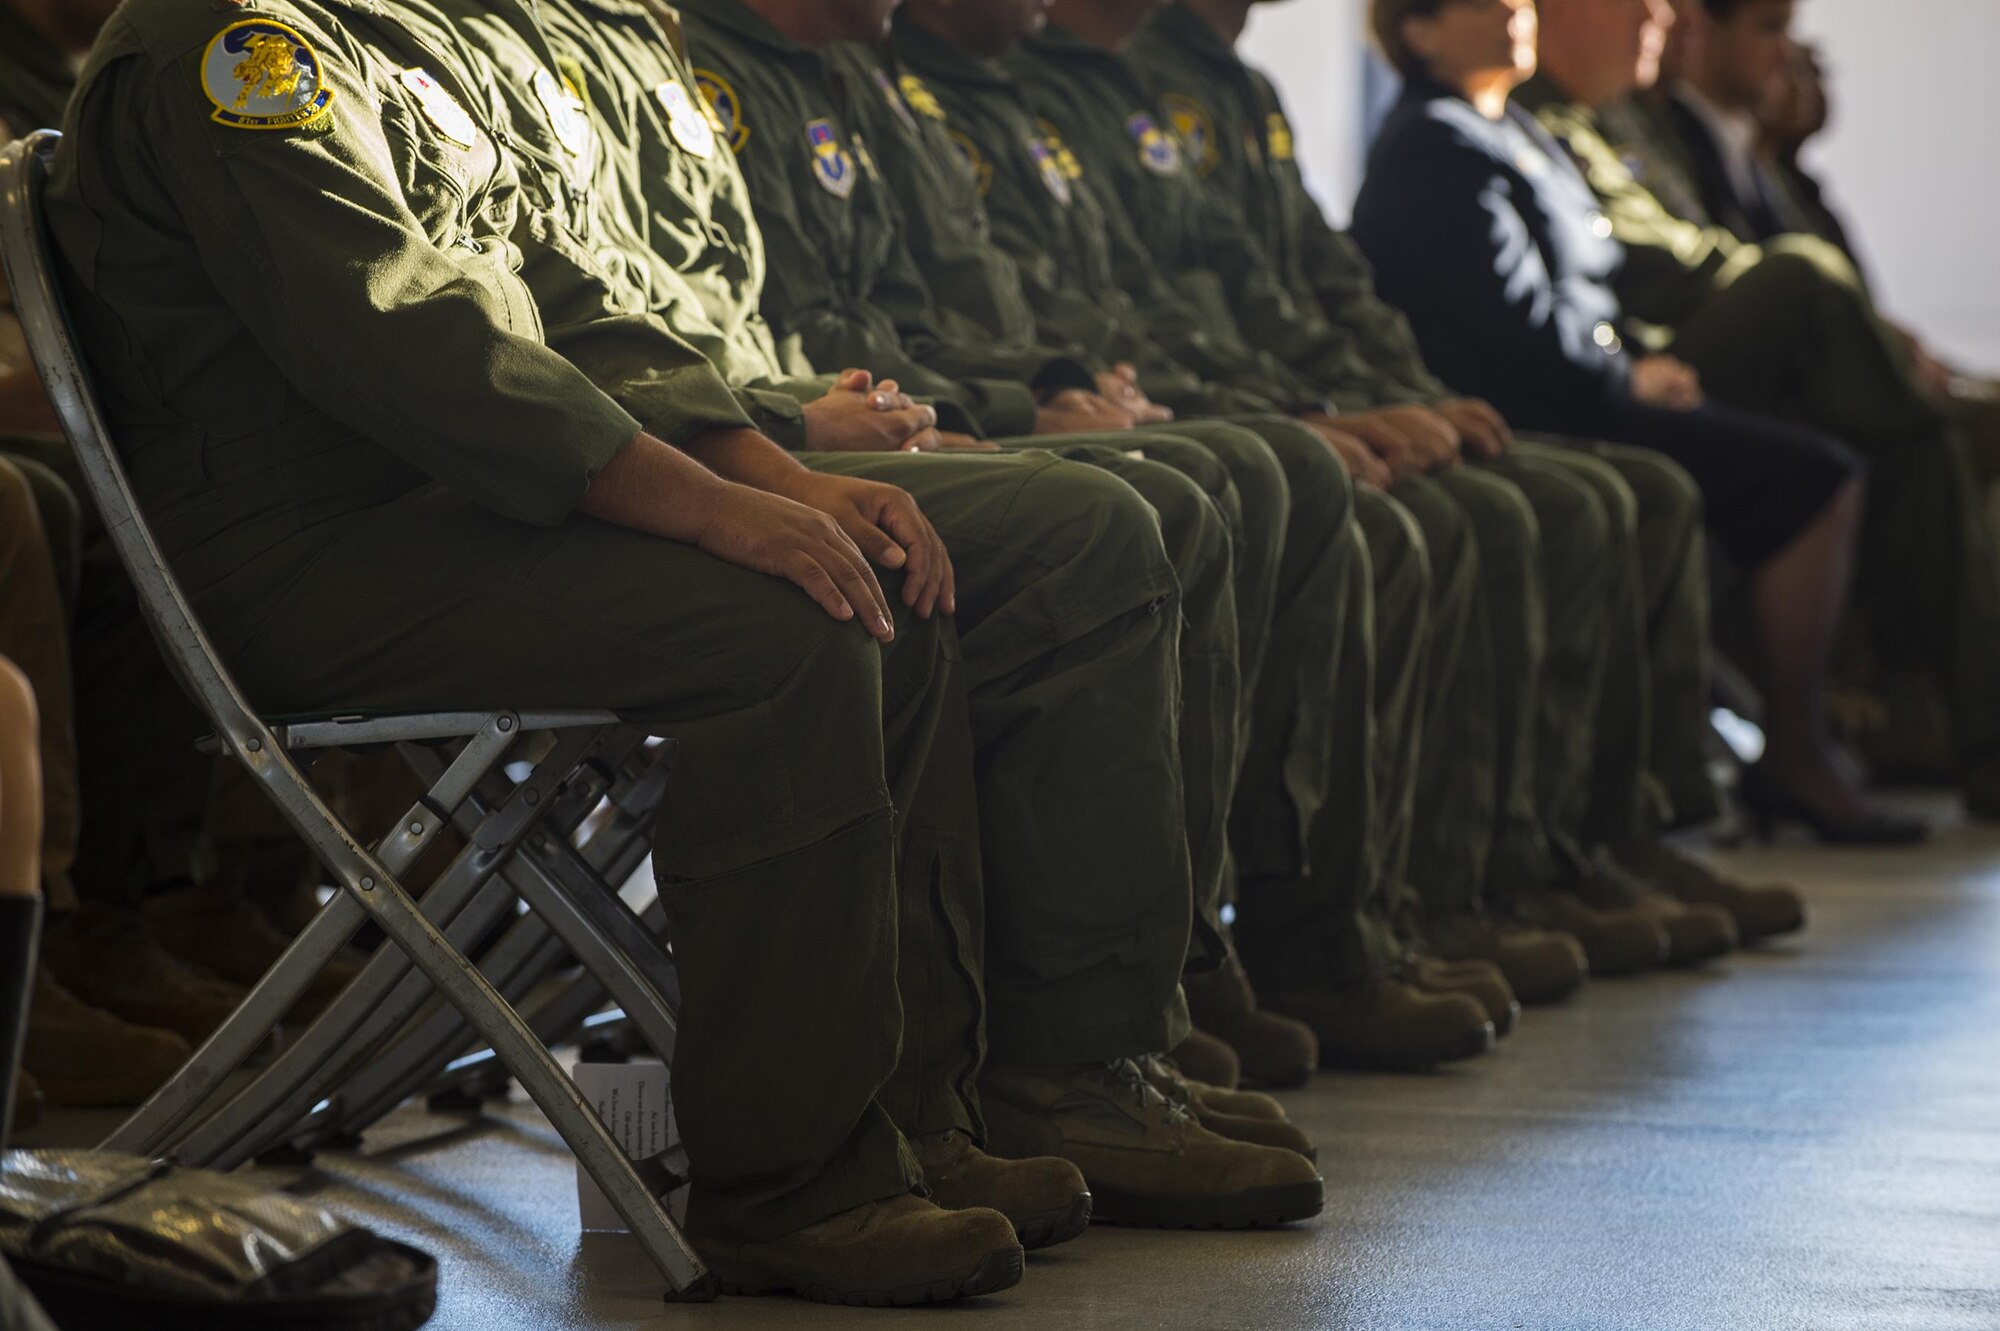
point(1305, 291)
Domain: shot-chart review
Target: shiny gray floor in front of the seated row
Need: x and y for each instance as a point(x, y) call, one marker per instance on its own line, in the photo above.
point(1805, 1138)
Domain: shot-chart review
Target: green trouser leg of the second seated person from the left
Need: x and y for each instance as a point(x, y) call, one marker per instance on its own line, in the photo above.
point(1069, 611)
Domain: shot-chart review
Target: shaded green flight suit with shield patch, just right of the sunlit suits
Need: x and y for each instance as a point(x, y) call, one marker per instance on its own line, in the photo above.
point(847, 289)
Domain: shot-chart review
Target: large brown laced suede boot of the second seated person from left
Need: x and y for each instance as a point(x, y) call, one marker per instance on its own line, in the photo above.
point(1145, 1158)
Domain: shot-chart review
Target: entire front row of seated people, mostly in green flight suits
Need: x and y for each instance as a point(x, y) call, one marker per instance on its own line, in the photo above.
point(479, 351)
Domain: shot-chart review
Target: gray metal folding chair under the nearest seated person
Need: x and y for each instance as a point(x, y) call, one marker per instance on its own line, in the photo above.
point(521, 840)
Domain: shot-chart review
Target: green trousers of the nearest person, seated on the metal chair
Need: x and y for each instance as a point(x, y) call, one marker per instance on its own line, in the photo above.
point(779, 846)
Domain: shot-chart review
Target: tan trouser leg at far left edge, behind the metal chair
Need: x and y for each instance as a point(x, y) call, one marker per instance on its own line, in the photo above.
point(35, 637)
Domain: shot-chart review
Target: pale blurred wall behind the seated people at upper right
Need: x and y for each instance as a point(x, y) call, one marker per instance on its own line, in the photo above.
point(1913, 155)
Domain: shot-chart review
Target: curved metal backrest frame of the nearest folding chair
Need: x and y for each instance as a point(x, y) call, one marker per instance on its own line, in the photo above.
point(45, 321)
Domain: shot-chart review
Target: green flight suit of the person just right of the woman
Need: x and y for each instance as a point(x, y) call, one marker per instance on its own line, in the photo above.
point(1789, 331)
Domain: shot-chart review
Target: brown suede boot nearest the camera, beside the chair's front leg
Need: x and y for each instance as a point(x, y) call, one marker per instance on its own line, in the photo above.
point(883, 1254)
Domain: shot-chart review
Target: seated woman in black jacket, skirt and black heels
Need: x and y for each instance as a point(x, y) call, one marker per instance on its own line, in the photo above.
point(1491, 241)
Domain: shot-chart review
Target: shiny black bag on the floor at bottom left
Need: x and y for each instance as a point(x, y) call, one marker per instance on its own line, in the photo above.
point(127, 1244)
